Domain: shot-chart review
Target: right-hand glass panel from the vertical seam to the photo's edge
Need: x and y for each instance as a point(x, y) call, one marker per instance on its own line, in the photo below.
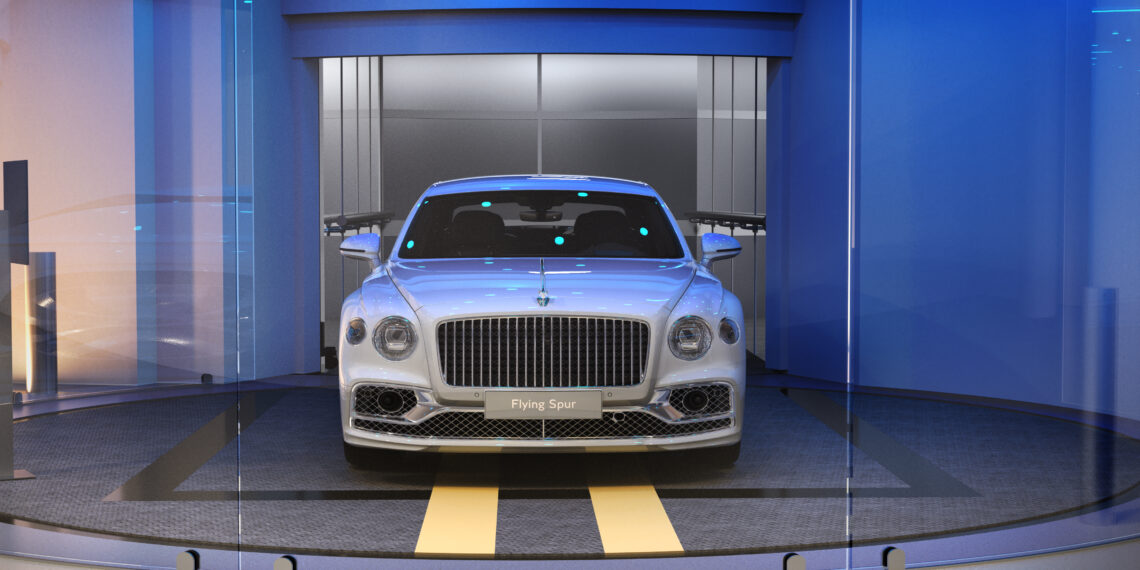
point(995, 295)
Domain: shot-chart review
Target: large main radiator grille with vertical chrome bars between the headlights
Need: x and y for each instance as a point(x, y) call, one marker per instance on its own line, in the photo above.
point(543, 352)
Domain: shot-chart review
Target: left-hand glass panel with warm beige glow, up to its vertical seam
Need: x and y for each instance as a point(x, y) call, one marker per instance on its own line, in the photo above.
point(121, 280)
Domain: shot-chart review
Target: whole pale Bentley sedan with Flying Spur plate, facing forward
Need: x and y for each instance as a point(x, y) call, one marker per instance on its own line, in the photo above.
point(541, 314)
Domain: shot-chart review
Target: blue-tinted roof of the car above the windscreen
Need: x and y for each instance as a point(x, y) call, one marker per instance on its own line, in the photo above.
point(541, 183)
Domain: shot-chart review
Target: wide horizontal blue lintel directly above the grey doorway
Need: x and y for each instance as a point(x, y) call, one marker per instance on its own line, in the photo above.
point(542, 31)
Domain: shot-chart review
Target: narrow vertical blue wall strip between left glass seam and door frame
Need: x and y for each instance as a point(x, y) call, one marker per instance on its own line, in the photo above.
point(286, 258)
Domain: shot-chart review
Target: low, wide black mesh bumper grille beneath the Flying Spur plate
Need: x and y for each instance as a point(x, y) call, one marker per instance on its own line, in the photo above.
point(474, 426)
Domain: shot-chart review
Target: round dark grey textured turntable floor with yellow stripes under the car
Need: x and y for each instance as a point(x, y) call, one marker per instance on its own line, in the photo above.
point(168, 470)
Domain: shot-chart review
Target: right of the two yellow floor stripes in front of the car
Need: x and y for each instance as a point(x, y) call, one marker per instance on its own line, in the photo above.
point(631, 518)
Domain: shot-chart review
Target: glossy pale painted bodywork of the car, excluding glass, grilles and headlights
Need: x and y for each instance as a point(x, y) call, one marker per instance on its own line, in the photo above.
point(427, 292)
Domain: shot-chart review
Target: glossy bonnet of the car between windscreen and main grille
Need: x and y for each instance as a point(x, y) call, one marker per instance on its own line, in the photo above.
point(445, 289)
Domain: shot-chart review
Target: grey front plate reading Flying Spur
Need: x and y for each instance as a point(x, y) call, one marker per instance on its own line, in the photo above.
point(543, 405)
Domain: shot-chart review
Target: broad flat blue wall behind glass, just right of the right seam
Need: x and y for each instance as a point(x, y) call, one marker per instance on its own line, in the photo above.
point(960, 191)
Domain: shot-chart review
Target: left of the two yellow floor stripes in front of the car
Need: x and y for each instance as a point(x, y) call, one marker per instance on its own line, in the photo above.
point(463, 510)
